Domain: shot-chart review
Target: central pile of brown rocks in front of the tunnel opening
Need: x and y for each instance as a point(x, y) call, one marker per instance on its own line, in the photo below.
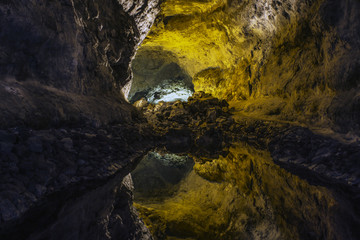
point(198, 125)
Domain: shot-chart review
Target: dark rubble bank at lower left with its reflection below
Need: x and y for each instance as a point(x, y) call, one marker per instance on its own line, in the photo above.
point(51, 178)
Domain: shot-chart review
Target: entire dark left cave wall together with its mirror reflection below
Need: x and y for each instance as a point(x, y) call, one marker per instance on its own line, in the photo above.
point(68, 137)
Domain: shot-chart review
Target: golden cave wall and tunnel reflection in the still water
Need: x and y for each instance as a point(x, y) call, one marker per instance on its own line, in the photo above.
point(242, 195)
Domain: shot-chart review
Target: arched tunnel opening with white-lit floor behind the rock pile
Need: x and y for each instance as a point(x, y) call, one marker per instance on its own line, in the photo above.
point(158, 76)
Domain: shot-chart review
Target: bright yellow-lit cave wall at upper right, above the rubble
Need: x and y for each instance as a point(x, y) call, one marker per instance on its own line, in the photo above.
point(257, 61)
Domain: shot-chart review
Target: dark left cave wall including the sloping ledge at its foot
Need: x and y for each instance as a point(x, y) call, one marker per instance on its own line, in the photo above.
point(50, 50)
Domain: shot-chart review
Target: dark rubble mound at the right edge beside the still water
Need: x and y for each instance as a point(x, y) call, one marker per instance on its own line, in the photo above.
point(327, 157)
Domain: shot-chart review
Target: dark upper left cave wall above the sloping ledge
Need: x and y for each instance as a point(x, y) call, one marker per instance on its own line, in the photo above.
point(78, 46)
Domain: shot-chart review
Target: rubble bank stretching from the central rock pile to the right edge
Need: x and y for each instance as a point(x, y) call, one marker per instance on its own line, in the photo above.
point(204, 126)
